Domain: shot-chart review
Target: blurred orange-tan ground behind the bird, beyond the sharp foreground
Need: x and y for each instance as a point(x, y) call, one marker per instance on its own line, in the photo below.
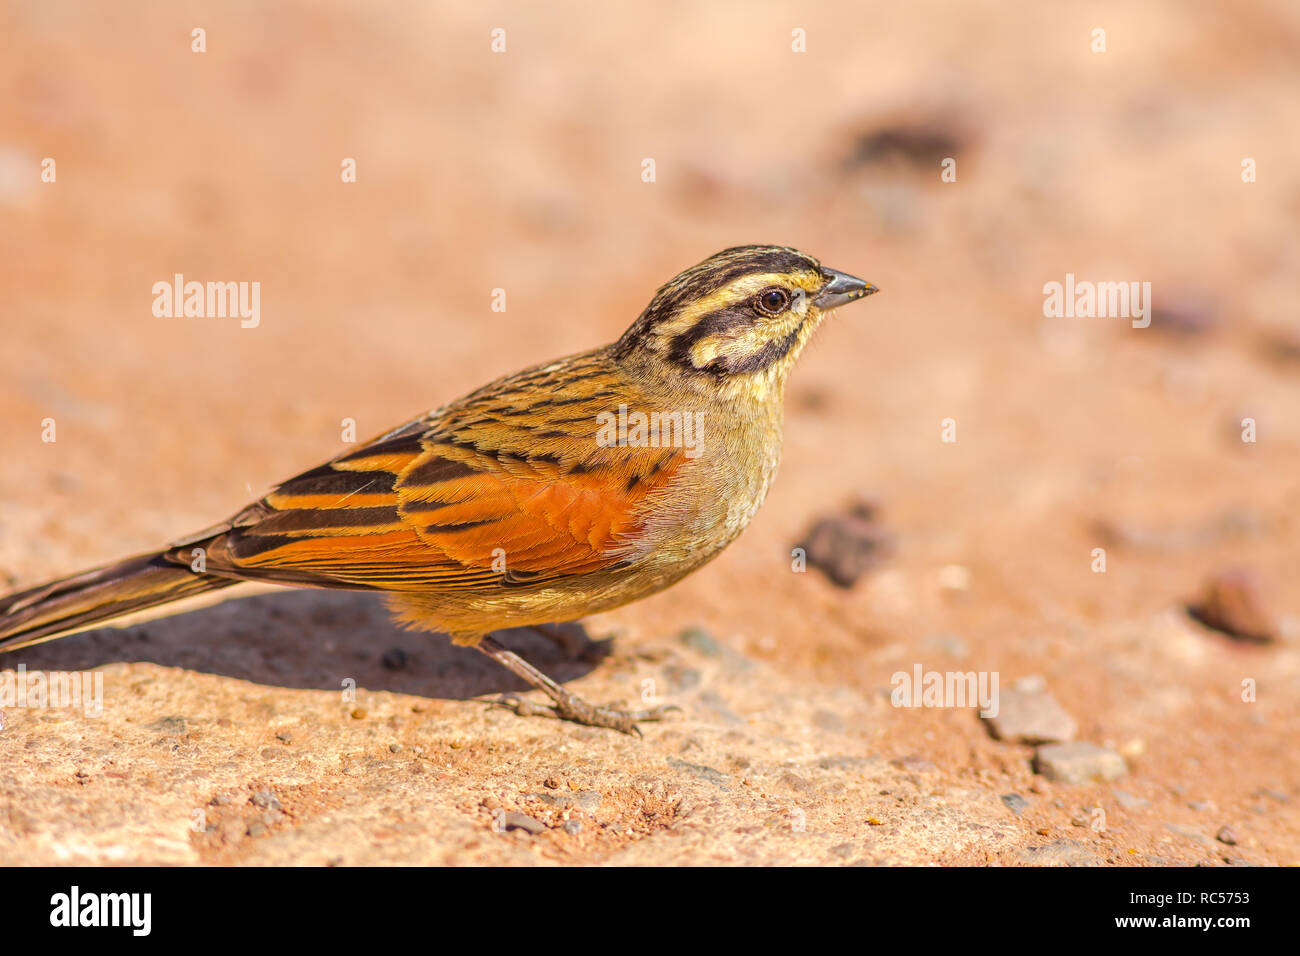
point(523, 171)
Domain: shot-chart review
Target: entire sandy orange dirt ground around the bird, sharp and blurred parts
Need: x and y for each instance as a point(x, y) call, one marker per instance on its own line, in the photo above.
point(228, 736)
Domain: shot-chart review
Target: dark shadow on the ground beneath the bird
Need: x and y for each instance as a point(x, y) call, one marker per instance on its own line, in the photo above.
point(314, 641)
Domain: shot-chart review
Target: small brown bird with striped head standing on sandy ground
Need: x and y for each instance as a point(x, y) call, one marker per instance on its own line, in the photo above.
point(569, 488)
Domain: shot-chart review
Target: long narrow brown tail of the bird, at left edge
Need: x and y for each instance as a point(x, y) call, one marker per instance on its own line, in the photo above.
point(83, 602)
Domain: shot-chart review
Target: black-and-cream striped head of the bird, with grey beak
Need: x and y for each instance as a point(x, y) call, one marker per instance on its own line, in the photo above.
point(742, 317)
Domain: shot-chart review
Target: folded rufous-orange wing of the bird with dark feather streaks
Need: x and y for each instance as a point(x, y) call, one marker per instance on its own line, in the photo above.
point(480, 496)
